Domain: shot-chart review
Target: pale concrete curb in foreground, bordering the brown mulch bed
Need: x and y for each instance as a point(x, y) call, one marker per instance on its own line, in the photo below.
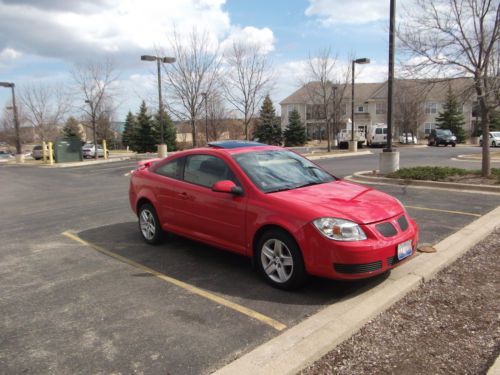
point(308, 341)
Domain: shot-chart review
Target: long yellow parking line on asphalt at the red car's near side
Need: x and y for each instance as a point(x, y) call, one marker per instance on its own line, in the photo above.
point(221, 301)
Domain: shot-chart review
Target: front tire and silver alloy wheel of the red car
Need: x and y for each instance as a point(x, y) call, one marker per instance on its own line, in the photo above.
point(279, 260)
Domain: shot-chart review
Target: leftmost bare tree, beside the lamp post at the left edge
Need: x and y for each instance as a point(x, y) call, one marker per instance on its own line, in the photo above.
point(45, 107)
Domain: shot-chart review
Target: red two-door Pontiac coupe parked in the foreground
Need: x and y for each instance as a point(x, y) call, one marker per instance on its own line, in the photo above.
point(269, 203)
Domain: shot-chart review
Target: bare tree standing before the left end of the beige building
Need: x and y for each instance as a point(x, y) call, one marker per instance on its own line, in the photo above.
point(327, 88)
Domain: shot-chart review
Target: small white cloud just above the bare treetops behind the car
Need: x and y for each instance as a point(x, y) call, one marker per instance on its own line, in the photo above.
point(263, 38)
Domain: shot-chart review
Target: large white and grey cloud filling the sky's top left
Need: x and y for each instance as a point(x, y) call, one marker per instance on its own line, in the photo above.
point(124, 28)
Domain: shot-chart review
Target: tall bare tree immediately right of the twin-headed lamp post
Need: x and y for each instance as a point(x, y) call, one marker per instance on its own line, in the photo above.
point(195, 71)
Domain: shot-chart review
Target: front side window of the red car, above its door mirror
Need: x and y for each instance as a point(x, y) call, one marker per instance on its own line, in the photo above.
point(206, 170)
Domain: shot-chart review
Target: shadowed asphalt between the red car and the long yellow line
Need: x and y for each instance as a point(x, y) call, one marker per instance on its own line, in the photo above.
point(222, 272)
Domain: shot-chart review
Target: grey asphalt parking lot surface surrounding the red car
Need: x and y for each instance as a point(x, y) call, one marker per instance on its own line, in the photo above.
point(83, 293)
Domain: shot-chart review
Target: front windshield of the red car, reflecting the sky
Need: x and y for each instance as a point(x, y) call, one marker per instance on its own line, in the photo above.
point(278, 170)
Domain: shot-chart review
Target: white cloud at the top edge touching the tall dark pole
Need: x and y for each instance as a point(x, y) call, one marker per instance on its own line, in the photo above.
point(333, 12)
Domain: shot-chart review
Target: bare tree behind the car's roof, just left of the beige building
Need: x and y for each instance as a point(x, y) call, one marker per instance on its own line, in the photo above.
point(247, 80)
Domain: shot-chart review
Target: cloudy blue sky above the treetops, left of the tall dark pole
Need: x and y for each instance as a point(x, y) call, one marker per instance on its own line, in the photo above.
point(40, 40)
